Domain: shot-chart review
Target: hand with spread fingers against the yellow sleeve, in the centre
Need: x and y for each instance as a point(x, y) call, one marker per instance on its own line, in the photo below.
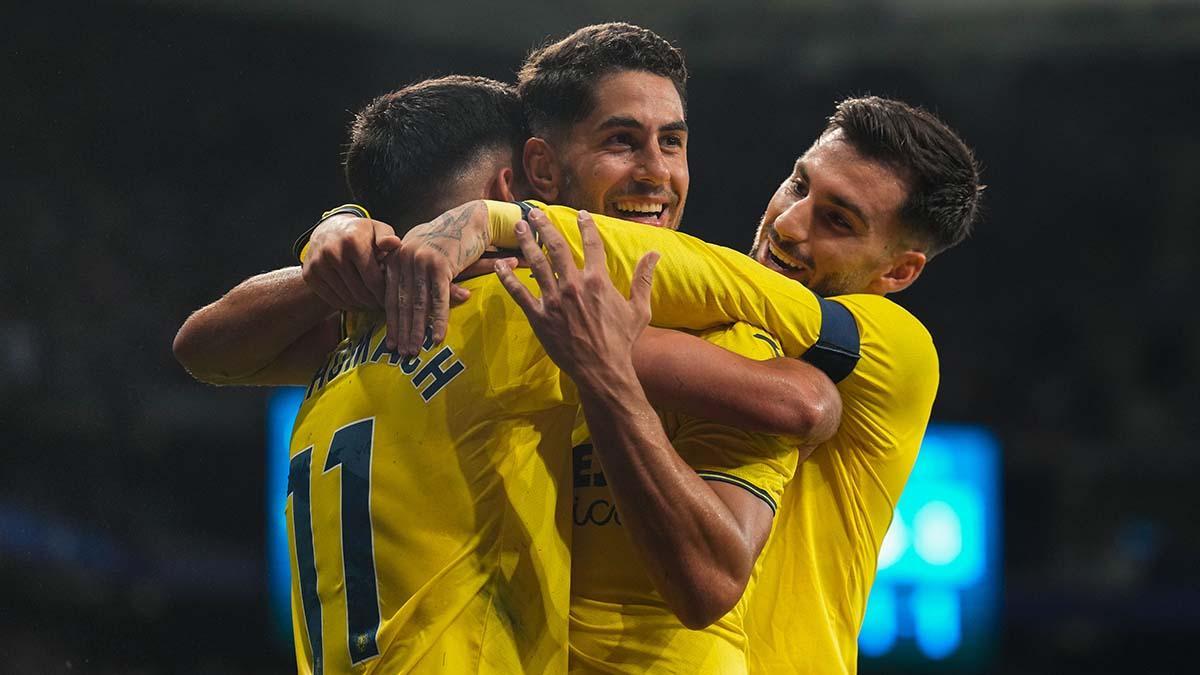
point(585, 324)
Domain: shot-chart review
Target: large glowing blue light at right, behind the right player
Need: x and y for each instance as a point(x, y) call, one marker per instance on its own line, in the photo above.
point(938, 583)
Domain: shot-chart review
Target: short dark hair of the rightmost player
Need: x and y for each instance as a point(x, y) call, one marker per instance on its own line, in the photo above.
point(943, 175)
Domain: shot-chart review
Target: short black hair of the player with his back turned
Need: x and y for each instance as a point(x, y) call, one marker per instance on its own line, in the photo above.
point(409, 145)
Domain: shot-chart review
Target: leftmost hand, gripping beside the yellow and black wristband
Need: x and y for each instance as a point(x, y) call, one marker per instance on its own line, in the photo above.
point(343, 265)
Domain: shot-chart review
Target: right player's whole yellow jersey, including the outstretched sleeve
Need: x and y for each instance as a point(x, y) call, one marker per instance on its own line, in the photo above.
point(820, 564)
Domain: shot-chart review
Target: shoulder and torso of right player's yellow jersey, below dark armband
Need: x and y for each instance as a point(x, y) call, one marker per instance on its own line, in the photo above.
point(819, 566)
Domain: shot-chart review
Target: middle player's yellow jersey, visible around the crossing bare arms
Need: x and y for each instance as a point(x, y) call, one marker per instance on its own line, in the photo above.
point(620, 623)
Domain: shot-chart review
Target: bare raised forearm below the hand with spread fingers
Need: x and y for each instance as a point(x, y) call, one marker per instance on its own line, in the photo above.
point(688, 539)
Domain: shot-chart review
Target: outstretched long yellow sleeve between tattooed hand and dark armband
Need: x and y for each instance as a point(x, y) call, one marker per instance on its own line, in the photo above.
point(699, 285)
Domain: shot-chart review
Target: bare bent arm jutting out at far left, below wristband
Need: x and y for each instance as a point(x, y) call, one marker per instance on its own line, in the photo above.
point(239, 338)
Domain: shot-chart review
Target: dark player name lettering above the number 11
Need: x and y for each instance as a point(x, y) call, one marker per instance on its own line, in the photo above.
point(430, 372)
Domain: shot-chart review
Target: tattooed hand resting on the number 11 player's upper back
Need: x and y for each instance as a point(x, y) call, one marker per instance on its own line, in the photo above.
point(421, 273)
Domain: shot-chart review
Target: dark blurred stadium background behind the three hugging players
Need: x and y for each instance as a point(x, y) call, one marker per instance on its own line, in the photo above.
point(157, 153)
